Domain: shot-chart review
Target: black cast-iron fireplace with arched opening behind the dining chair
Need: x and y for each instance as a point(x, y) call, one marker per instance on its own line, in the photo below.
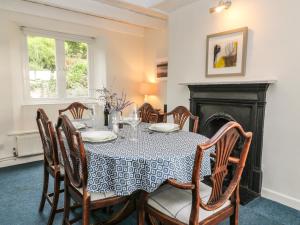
point(217, 104)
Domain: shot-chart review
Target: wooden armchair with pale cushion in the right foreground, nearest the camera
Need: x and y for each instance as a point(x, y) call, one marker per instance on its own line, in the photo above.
point(197, 203)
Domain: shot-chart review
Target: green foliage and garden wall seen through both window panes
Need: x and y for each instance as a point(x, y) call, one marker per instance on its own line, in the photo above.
point(41, 52)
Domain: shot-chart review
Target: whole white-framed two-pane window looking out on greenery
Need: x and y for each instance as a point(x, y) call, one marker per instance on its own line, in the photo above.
point(57, 66)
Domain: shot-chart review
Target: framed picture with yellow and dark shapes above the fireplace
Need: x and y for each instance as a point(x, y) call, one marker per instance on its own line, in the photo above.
point(226, 53)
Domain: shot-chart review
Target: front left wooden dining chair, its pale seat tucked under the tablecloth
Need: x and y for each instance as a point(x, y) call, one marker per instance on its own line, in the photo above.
point(76, 176)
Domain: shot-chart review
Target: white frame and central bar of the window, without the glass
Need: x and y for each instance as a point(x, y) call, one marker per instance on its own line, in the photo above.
point(60, 70)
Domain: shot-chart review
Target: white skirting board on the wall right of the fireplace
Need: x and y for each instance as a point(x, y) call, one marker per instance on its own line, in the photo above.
point(281, 198)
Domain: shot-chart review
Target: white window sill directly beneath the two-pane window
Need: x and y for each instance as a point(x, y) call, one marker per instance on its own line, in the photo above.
point(58, 102)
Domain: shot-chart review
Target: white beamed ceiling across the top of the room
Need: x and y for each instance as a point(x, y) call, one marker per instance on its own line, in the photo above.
point(145, 13)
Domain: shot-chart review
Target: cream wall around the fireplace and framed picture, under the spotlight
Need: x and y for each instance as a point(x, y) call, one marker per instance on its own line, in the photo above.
point(272, 52)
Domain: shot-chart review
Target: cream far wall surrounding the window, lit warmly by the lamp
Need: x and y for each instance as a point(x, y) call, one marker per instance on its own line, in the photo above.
point(123, 64)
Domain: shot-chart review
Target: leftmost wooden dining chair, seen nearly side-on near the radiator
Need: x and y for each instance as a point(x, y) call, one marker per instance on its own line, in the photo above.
point(51, 164)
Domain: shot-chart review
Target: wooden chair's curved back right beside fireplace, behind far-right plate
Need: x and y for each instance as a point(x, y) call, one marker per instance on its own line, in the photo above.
point(180, 115)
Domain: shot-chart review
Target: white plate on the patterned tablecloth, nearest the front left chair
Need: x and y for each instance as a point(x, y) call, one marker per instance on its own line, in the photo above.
point(98, 136)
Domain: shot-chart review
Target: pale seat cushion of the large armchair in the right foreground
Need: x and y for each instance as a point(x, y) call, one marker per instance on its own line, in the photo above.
point(177, 203)
